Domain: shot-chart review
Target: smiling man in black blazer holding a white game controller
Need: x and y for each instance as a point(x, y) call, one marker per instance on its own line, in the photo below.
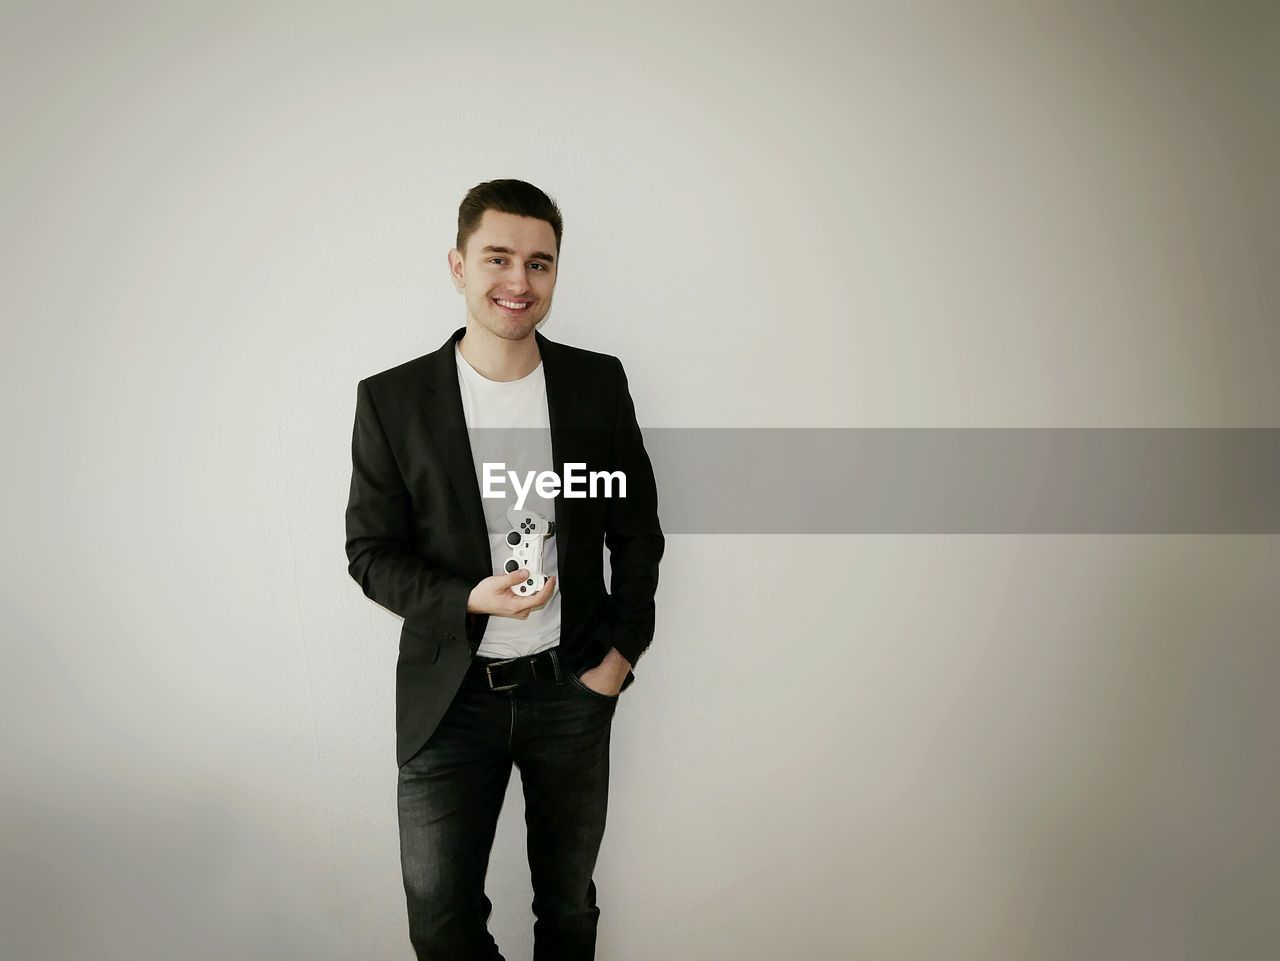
point(488, 679)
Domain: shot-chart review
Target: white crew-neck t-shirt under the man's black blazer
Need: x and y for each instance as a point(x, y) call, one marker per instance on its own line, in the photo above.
point(509, 423)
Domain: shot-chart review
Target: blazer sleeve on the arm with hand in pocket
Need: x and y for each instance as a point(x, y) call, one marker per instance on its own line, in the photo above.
point(633, 534)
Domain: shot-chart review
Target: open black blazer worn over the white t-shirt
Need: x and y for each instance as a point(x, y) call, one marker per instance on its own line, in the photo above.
point(417, 537)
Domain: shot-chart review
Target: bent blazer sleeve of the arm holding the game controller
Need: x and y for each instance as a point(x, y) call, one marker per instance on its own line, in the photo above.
point(381, 551)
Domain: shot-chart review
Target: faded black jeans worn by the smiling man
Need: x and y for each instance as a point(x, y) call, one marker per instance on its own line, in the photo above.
point(557, 733)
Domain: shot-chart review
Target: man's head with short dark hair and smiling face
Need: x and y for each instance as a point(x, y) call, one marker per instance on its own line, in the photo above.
point(508, 257)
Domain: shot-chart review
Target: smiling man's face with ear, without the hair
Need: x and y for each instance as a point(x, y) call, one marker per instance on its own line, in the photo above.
point(509, 273)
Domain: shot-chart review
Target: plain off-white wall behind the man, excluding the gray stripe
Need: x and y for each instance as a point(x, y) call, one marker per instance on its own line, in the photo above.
point(218, 218)
